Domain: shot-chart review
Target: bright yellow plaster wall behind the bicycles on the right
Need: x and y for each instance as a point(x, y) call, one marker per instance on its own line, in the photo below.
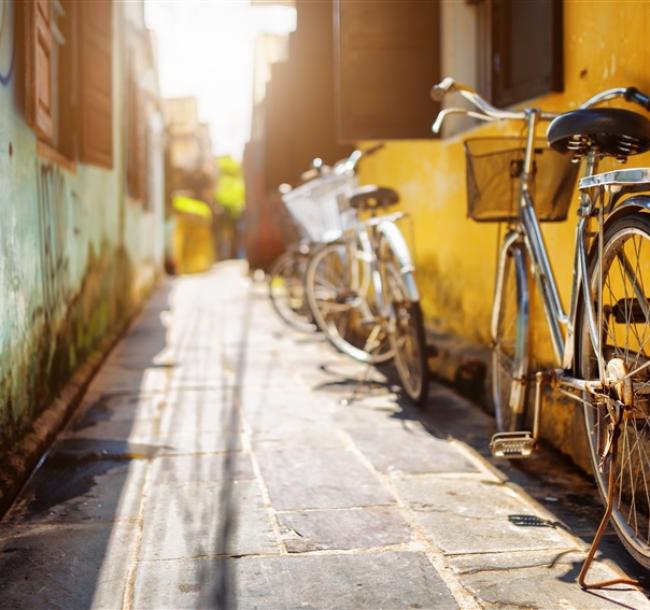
point(606, 44)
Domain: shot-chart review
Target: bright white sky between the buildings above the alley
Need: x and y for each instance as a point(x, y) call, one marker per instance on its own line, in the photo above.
point(205, 49)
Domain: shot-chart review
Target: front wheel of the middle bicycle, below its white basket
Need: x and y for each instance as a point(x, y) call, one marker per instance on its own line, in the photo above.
point(339, 292)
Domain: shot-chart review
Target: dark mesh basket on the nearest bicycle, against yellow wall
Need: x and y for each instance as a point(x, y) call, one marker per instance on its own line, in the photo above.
point(494, 167)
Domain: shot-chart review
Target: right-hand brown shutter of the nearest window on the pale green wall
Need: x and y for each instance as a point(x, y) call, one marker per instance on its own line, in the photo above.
point(96, 86)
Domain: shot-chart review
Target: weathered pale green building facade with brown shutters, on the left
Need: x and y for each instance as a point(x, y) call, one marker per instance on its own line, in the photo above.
point(81, 195)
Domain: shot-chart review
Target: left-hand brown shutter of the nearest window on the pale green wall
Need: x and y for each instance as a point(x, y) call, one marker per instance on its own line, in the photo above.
point(38, 68)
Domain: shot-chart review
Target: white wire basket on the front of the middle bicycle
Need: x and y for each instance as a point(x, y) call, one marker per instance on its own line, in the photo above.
point(321, 207)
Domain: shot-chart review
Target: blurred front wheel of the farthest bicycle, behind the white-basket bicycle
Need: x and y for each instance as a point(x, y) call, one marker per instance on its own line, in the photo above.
point(287, 291)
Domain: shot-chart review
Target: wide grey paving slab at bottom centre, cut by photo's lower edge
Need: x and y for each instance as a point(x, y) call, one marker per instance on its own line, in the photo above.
point(345, 582)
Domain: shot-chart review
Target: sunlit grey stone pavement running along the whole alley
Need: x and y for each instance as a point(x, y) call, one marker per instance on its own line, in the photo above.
point(221, 460)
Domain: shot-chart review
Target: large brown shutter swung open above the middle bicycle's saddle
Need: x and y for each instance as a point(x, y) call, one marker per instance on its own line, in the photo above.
point(387, 59)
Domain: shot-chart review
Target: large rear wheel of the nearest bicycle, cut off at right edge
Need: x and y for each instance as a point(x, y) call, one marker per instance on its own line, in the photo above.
point(625, 336)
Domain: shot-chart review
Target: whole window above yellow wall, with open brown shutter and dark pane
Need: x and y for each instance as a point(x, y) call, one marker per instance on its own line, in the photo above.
point(389, 53)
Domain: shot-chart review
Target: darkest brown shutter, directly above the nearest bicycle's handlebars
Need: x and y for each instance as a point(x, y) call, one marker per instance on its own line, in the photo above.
point(527, 45)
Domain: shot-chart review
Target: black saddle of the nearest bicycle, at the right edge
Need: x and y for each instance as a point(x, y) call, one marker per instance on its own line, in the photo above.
point(612, 131)
